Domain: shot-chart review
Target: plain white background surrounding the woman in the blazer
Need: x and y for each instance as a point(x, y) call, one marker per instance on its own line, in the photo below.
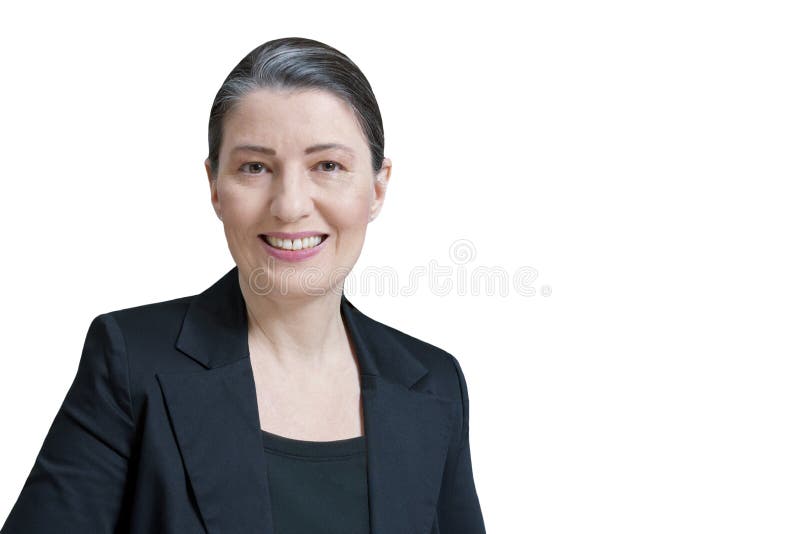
point(641, 156)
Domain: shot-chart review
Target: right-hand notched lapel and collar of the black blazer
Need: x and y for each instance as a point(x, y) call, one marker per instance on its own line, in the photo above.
point(408, 431)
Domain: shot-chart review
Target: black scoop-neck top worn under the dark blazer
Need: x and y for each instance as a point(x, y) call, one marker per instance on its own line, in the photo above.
point(317, 486)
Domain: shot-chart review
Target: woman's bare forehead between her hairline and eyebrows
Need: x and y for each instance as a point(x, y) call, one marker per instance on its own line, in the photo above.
point(292, 117)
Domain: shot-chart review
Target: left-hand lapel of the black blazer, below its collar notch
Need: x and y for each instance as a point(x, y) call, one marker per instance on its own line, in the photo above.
point(215, 421)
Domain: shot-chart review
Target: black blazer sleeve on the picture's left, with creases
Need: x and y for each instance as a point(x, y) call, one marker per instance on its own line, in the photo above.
point(78, 480)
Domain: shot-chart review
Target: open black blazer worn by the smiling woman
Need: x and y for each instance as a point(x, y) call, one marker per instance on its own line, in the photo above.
point(160, 432)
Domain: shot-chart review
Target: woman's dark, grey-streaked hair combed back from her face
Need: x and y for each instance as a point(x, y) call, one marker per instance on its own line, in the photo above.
point(298, 63)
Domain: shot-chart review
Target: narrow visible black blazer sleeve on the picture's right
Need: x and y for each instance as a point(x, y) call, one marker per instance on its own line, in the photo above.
point(459, 510)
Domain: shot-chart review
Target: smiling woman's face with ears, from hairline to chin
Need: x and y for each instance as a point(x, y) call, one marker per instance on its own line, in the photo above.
point(295, 161)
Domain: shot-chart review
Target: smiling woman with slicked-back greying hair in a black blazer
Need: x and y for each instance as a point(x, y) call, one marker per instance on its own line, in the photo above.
point(267, 403)
